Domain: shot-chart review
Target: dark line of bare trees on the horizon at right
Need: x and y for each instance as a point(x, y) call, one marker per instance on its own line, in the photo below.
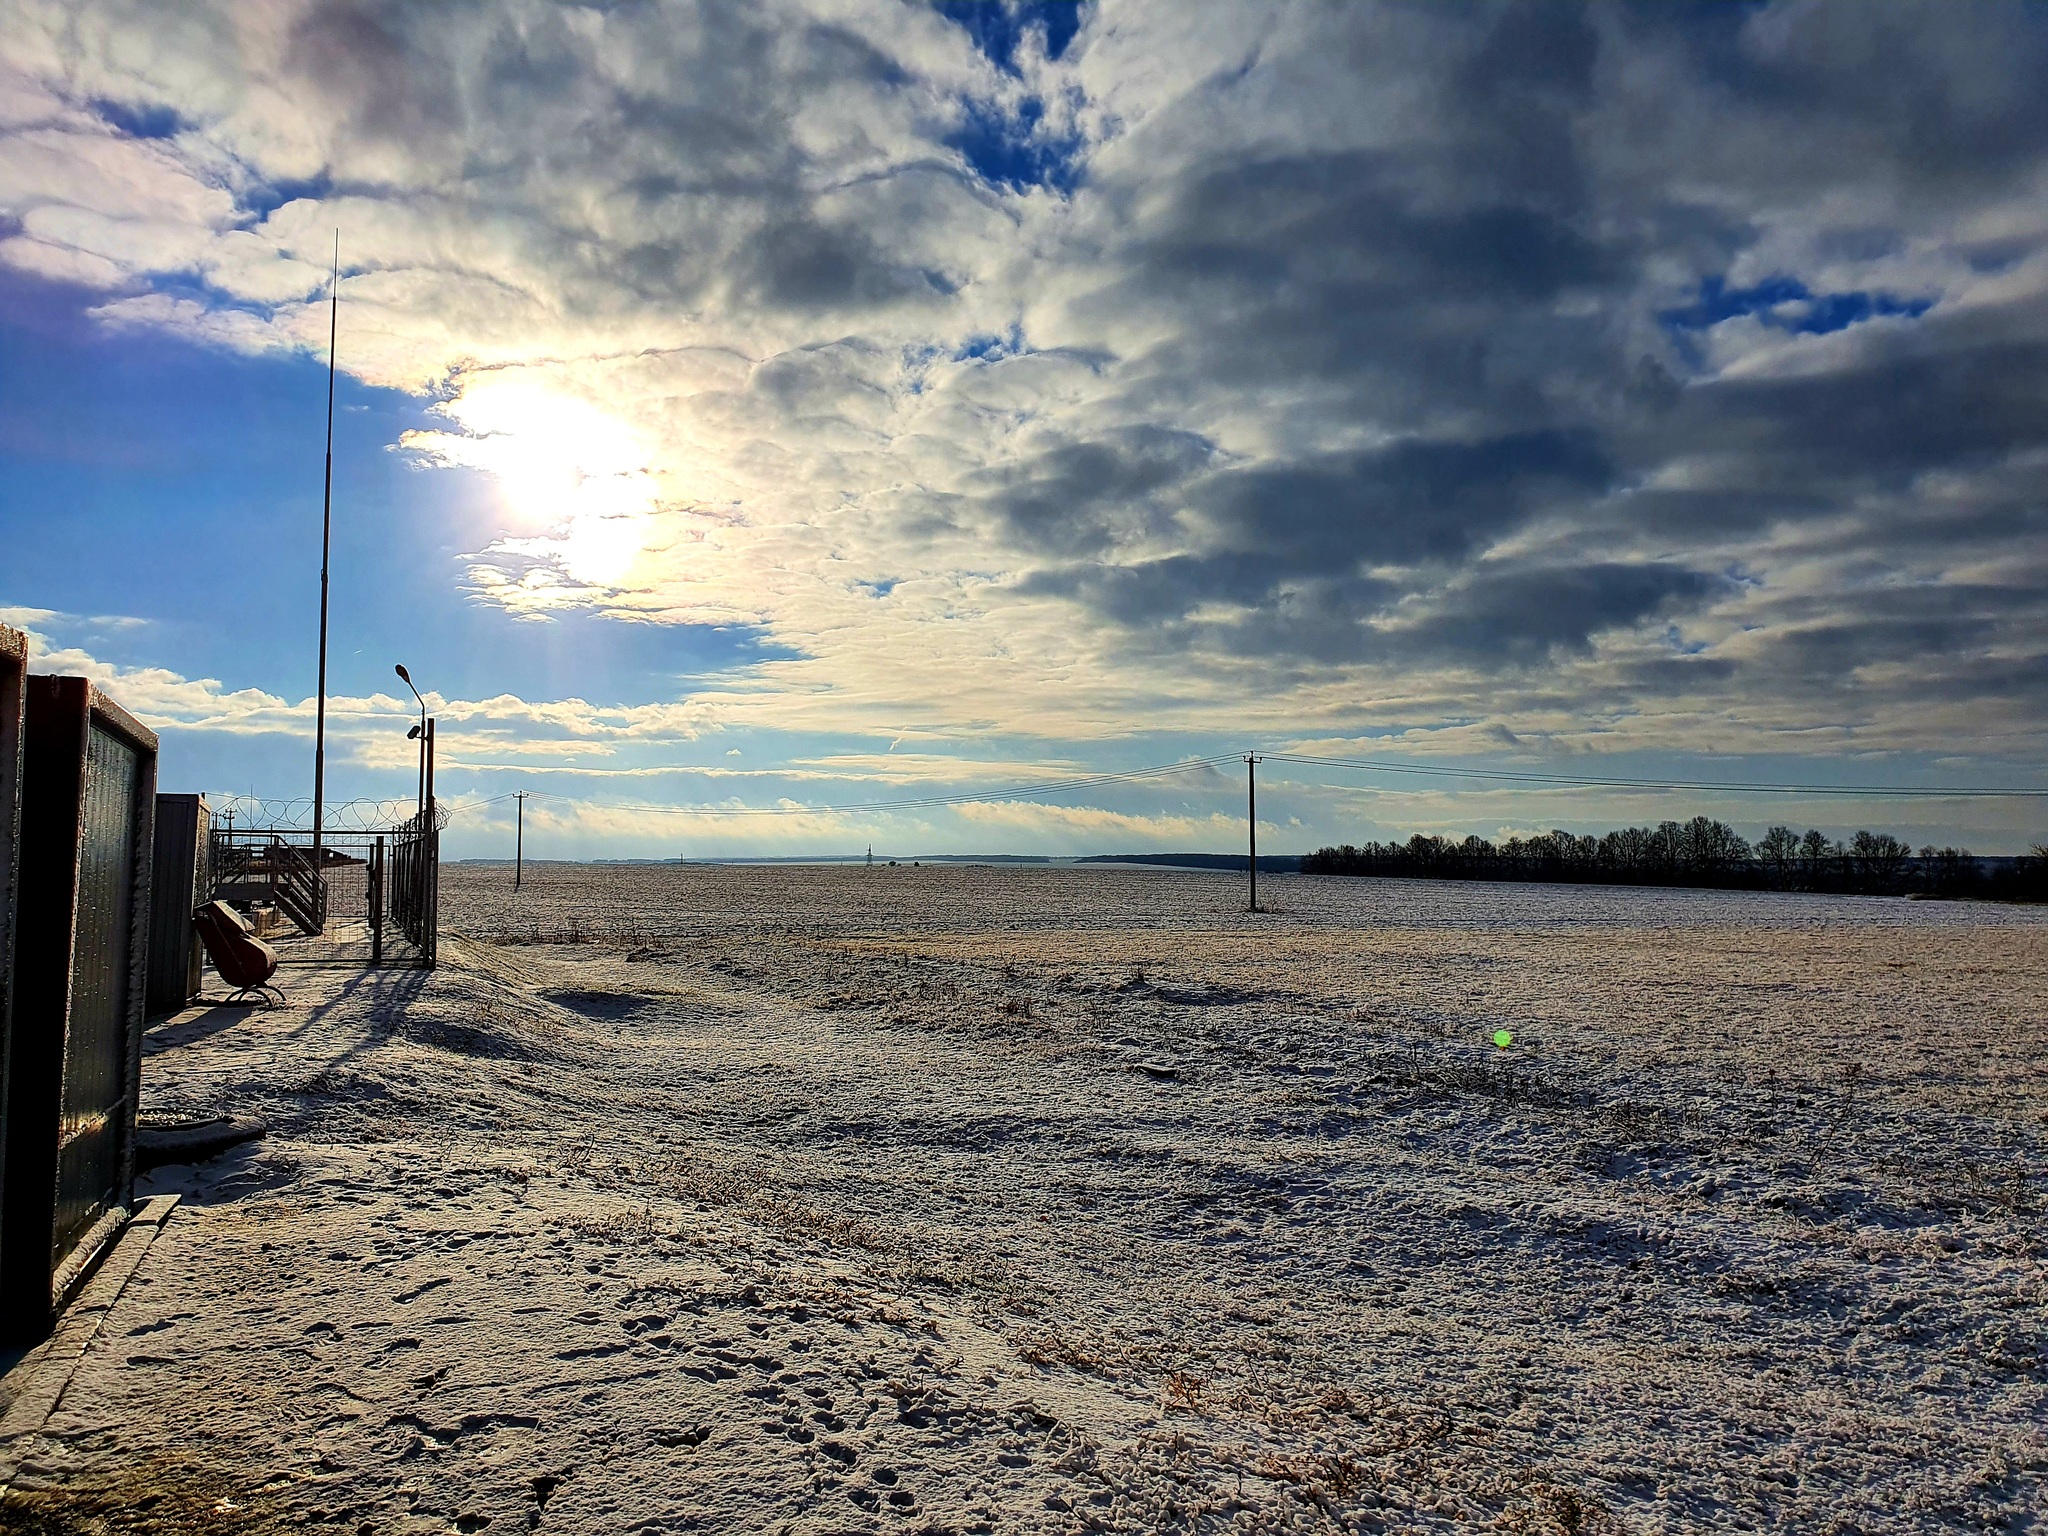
point(1701, 853)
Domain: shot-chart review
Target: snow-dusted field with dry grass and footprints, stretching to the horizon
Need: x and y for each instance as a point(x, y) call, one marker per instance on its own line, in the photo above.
point(1037, 1199)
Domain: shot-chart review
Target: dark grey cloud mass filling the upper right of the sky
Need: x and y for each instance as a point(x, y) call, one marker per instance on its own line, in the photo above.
point(1494, 288)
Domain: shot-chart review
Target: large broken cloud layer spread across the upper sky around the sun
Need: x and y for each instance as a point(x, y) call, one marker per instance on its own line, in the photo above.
point(1619, 378)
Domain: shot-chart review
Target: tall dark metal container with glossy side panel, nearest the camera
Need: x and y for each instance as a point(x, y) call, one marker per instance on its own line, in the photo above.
point(81, 980)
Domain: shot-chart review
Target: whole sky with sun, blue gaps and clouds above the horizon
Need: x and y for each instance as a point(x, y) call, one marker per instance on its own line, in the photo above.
point(757, 411)
